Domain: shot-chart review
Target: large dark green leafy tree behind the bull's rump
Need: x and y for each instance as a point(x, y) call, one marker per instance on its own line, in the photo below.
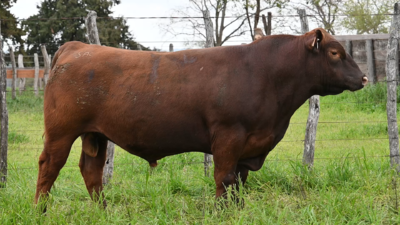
point(59, 21)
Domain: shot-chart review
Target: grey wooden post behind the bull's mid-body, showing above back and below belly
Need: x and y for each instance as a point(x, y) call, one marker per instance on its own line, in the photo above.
point(209, 44)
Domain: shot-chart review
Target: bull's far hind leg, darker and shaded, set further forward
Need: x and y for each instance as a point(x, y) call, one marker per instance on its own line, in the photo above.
point(93, 157)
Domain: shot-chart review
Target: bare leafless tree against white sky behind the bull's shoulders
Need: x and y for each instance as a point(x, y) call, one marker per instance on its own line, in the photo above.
point(229, 18)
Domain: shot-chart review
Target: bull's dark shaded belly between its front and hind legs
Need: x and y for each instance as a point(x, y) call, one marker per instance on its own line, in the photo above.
point(155, 140)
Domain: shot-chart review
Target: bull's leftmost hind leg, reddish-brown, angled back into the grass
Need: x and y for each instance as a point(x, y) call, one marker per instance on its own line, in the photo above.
point(52, 159)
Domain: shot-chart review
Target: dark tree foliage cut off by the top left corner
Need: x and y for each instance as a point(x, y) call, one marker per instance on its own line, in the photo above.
point(9, 22)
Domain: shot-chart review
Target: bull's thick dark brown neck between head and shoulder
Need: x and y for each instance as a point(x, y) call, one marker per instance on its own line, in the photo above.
point(283, 71)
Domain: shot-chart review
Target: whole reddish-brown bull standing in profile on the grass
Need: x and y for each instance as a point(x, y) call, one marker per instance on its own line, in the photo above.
point(233, 102)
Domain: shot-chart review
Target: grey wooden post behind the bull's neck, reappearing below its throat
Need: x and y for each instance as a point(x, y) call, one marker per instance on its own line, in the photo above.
point(313, 114)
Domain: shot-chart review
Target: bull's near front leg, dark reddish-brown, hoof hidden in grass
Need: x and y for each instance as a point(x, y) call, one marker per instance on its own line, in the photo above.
point(227, 148)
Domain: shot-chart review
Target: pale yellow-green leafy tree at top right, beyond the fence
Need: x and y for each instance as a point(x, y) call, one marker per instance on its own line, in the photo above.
point(367, 16)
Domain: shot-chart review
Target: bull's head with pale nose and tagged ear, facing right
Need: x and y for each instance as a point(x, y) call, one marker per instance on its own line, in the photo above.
point(335, 69)
